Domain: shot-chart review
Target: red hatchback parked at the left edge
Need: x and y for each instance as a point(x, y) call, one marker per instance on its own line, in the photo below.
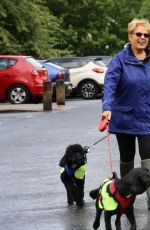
point(21, 78)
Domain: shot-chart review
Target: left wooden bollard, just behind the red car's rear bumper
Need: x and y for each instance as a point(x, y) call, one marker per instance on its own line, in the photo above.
point(47, 95)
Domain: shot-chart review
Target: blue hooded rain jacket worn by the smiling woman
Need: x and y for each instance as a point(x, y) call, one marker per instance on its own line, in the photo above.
point(127, 93)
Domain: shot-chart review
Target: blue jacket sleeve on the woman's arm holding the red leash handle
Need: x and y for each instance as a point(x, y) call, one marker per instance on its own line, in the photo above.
point(111, 82)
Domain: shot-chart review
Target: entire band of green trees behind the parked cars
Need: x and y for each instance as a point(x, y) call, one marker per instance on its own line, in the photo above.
point(46, 28)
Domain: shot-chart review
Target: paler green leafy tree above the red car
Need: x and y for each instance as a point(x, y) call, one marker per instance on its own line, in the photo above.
point(28, 28)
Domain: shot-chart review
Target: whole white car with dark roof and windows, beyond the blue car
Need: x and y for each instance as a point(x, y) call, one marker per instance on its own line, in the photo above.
point(86, 74)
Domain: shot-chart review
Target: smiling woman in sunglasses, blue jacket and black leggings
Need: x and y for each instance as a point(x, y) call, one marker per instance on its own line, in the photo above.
point(126, 101)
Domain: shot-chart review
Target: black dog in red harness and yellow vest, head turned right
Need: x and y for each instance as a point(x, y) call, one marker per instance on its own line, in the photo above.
point(116, 196)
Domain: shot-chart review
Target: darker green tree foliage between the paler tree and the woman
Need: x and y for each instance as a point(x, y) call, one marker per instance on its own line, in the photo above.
point(94, 27)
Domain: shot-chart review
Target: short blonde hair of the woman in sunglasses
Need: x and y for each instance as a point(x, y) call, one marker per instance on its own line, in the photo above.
point(136, 22)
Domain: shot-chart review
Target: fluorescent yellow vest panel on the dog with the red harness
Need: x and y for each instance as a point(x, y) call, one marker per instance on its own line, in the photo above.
point(108, 203)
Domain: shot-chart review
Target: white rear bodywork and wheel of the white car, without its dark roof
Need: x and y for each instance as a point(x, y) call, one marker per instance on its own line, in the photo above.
point(88, 80)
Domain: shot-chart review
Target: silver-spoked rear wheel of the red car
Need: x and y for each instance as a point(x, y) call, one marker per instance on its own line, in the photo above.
point(18, 94)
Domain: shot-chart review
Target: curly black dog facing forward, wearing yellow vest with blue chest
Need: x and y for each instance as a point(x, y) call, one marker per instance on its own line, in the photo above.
point(73, 168)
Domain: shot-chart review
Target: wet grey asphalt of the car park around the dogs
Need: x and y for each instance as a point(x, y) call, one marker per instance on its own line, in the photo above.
point(32, 196)
